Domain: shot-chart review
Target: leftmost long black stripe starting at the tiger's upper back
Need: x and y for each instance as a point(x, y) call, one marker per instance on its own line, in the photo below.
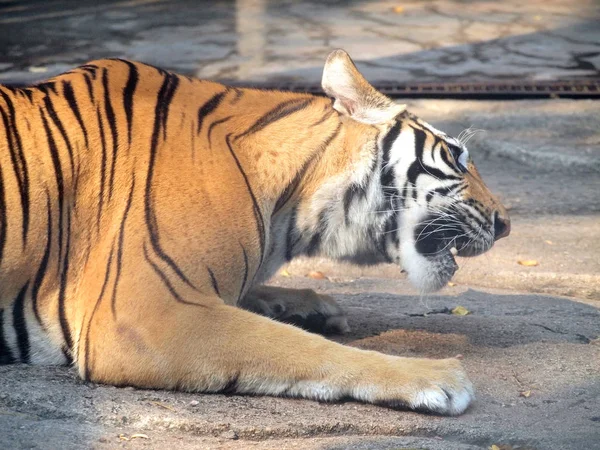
point(18, 160)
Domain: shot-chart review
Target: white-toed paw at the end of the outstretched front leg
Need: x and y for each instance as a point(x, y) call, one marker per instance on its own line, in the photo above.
point(436, 386)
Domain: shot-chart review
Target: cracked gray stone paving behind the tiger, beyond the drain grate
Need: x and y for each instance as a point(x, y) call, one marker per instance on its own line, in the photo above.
point(261, 40)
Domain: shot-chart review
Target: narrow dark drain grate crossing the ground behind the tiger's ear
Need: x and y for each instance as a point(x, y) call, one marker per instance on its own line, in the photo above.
point(511, 90)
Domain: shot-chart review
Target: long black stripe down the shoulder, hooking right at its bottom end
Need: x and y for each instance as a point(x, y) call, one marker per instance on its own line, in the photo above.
point(165, 96)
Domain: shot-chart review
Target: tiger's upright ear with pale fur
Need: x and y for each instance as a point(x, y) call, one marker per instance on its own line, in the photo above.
point(353, 95)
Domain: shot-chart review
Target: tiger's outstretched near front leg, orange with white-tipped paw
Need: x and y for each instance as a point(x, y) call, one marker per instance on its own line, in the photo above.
point(213, 347)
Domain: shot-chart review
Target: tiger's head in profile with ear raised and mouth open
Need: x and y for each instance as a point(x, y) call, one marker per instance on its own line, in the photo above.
point(421, 201)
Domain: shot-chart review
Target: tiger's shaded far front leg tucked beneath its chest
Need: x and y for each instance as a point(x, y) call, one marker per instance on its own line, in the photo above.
point(301, 307)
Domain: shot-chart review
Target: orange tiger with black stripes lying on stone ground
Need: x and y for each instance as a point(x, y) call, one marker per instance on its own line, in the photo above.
point(142, 213)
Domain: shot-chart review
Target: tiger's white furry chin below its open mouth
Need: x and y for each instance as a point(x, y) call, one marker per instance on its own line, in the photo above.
point(429, 273)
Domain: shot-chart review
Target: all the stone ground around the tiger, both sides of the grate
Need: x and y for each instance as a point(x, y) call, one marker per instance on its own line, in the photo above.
point(530, 342)
